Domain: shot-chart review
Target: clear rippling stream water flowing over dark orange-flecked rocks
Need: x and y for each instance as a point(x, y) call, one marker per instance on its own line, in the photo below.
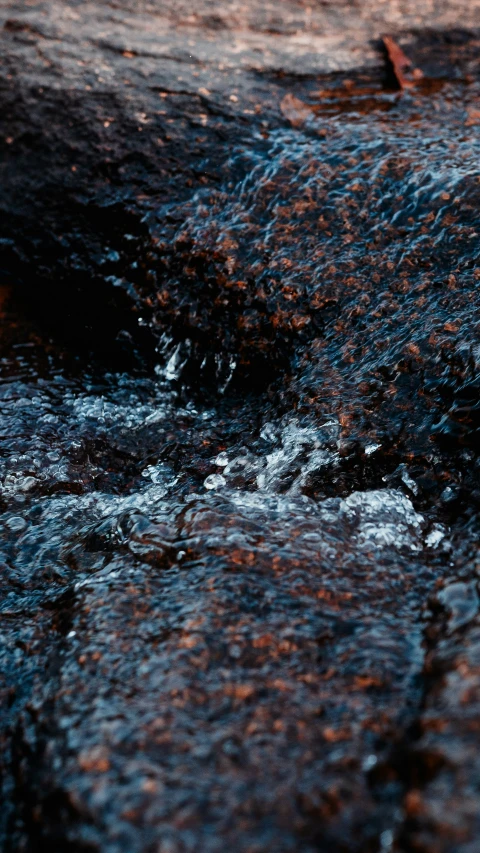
point(218, 575)
